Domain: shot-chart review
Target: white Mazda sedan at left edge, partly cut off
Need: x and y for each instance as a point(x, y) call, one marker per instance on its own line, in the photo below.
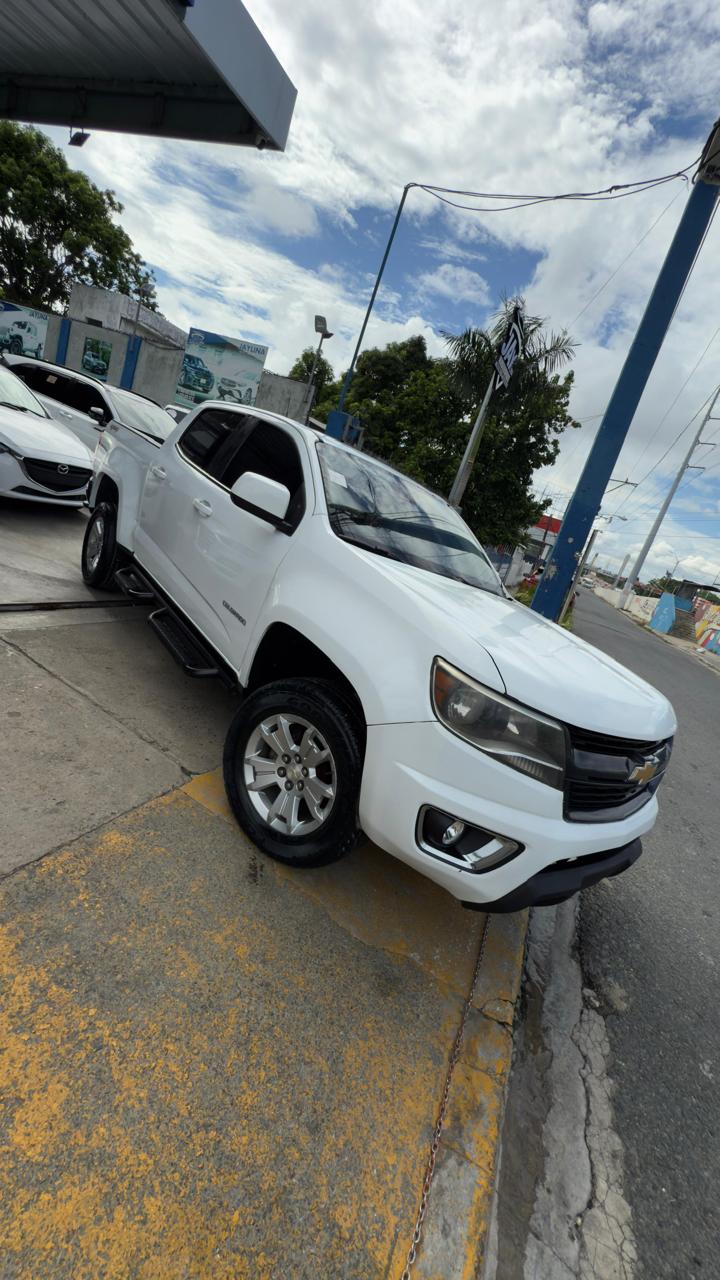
point(40, 461)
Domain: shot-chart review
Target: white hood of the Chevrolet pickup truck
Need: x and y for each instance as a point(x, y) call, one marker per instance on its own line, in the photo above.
point(541, 665)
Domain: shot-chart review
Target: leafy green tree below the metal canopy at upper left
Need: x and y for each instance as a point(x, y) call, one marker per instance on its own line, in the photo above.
point(57, 227)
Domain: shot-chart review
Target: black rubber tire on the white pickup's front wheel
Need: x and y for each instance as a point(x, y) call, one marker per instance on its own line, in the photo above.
point(325, 707)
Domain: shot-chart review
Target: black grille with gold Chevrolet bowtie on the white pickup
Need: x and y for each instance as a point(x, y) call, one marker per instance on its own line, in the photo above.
point(612, 778)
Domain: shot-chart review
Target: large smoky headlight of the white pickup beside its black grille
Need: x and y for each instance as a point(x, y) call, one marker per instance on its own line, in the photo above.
point(513, 735)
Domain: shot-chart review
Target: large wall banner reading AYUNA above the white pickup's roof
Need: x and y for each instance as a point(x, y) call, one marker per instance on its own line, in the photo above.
point(220, 368)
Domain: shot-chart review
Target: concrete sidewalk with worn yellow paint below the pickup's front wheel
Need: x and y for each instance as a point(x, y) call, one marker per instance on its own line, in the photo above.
point(215, 1067)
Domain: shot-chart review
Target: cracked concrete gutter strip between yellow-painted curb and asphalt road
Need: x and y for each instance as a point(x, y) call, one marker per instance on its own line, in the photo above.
point(560, 1210)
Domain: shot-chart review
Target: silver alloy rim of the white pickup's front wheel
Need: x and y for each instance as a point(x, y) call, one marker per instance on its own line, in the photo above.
point(290, 775)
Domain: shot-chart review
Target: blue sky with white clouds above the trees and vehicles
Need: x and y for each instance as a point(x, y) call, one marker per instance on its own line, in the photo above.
point(539, 97)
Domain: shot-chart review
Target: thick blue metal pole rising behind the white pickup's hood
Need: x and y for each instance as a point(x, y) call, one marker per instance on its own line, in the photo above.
point(589, 496)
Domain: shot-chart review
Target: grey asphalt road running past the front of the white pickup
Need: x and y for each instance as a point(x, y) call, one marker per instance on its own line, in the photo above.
point(651, 950)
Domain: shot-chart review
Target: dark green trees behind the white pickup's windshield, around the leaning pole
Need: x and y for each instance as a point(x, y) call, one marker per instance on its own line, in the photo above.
point(418, 413)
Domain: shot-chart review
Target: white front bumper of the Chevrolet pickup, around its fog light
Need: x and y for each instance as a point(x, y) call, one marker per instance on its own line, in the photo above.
point(412, 766)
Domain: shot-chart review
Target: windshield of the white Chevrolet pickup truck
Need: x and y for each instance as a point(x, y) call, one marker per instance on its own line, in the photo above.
point(385, 513)
